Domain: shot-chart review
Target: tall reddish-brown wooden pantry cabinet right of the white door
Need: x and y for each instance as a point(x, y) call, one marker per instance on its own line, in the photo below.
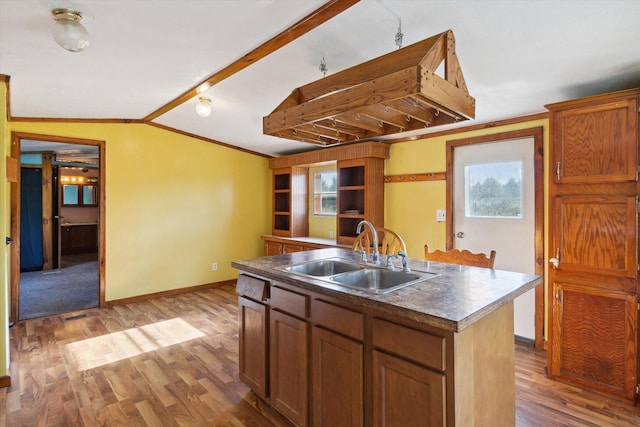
point(593, 242)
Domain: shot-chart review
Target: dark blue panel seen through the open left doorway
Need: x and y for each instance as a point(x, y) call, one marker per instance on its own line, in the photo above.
point(31, 257)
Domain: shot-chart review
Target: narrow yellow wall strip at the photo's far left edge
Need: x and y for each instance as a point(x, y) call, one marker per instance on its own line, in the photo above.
point(4, 231)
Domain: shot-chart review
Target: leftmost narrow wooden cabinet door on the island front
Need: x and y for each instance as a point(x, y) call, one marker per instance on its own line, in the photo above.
point(252, 320)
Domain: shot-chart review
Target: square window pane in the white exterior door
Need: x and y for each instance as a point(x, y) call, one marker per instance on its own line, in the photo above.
point(493, 190)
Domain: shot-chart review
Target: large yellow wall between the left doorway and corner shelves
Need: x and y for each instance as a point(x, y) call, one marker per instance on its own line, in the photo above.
point(174, 205)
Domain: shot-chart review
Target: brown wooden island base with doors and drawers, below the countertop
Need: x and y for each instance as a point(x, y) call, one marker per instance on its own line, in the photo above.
point(333, 362)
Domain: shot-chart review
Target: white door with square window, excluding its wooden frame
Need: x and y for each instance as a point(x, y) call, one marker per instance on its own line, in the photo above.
point(494, 209)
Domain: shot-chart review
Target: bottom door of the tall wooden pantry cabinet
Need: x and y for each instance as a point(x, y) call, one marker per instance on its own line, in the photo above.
point(596, 341)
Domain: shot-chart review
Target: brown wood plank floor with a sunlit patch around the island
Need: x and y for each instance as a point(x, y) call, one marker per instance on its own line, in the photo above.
point(173, 362)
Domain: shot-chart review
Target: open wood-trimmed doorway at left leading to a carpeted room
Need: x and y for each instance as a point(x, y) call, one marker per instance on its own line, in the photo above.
point(68, 274)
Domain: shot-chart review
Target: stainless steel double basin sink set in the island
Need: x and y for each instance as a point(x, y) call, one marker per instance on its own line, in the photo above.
point(364, 277)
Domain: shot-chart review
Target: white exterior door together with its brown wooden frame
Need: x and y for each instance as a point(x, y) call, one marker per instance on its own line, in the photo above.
point(495, 188)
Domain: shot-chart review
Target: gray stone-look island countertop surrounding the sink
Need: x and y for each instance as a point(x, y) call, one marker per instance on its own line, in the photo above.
point(456, 299)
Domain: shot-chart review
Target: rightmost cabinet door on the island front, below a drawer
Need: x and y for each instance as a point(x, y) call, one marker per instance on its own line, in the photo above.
point(396, 383)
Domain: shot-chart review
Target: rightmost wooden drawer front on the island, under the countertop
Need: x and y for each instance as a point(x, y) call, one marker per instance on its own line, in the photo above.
point(421, 347)
